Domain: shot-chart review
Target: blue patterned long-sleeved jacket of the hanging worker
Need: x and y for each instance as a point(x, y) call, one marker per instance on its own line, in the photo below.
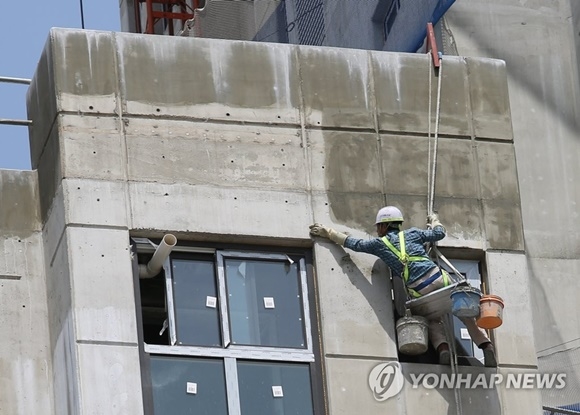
point(415, 239)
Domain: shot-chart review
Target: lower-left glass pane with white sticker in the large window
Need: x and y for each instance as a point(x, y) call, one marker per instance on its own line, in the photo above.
point(187, 386)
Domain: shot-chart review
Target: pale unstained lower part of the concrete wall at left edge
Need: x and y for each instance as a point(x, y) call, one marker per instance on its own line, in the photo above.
point(25, 361)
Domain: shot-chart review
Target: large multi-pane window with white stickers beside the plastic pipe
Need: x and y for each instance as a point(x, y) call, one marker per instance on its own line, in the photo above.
point(229, 332)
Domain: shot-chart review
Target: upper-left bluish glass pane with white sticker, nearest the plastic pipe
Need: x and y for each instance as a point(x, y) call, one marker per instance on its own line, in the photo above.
point(196, 306)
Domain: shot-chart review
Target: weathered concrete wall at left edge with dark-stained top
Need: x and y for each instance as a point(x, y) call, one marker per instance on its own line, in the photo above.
point(25, 362)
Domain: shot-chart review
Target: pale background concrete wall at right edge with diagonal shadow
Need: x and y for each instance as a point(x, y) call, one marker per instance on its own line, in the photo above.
point(539, 42)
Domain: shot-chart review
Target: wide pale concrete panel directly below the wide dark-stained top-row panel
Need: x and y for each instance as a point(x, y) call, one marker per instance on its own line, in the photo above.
point(217, 154)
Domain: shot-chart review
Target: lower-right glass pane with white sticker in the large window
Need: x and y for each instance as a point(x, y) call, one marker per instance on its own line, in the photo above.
point(259, 382)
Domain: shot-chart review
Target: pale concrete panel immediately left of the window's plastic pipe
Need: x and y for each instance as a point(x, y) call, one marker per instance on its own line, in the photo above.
point(100, 259)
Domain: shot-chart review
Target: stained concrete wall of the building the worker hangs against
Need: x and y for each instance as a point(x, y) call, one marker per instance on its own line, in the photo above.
point(249, 142)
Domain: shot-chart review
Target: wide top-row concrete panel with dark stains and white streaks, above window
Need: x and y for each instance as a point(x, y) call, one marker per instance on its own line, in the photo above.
point(209, 79)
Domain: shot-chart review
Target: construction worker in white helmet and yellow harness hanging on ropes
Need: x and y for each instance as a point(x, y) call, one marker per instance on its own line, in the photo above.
point(405, 254)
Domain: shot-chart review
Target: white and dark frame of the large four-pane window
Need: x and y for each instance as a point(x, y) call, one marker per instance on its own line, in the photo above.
point(231, 353)
